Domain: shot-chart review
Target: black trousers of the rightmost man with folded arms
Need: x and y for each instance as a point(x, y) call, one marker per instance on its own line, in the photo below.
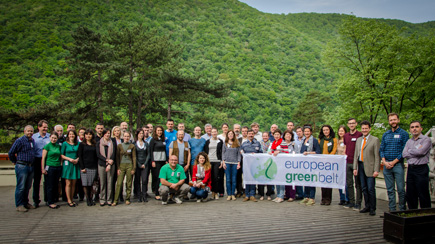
point(417, 186)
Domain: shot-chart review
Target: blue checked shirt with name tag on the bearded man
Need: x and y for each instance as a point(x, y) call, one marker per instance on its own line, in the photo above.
point(393, 143)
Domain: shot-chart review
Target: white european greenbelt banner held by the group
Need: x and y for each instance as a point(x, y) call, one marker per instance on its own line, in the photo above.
point(319, 170)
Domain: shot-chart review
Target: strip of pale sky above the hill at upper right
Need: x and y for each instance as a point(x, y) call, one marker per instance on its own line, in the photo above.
point(414, 11)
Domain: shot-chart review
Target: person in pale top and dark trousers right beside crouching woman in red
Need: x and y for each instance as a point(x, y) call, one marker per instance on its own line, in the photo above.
point(213, 148)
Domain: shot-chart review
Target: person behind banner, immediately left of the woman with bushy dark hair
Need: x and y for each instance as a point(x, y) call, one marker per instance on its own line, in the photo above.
point(310, 146)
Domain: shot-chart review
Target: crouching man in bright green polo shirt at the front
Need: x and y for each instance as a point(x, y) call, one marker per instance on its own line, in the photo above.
point(172, 178)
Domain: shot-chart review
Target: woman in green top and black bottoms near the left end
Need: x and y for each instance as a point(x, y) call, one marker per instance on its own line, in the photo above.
point(52, 169)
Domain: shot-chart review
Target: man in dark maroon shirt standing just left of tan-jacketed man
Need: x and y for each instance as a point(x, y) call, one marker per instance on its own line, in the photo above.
point(350, 141)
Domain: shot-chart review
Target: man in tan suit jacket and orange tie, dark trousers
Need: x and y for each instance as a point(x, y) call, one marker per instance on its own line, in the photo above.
point(366, 162)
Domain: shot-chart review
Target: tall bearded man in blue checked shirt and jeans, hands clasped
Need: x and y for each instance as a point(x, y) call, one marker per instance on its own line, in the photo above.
point(392, 145)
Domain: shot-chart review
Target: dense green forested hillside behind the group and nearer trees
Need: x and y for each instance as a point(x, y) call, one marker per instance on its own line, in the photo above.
point(273, 67)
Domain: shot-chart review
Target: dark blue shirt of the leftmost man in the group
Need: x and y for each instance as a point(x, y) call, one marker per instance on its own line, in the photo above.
point(22, 150)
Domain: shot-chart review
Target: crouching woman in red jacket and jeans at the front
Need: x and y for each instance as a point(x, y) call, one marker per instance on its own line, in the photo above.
point(201, 177)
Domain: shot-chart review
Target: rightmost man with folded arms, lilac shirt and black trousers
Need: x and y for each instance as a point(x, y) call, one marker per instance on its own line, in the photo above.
point(417, 152)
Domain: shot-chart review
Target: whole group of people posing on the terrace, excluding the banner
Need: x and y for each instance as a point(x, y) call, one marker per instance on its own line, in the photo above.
point(101, 161)
